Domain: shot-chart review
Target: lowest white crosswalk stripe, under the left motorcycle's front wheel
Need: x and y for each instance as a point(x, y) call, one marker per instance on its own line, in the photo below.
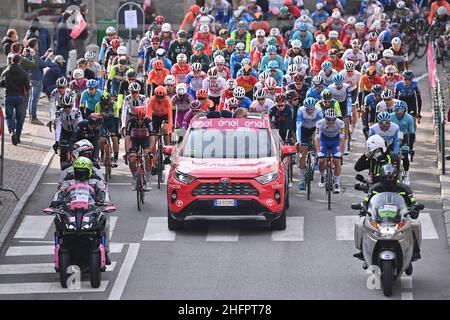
point(47, 287)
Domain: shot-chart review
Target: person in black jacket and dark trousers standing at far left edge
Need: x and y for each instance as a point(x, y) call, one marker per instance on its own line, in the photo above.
point(17, 84)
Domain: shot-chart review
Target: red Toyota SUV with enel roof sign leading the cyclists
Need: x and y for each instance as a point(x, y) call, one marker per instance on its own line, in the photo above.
point(229, 167)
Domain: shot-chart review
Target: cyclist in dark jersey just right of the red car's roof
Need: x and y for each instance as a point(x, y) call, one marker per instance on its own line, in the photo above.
point(282, 118)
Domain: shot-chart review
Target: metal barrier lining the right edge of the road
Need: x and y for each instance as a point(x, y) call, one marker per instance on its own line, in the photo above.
point(439, 119)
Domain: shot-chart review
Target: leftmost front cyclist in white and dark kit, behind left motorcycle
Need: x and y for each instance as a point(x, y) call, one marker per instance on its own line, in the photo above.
point(66, 118)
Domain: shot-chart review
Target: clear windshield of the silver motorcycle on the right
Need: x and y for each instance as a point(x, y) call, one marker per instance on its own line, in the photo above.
point(387, 207)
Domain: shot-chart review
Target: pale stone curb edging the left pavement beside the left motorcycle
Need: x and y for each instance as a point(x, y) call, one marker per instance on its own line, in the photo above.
point(24, 198)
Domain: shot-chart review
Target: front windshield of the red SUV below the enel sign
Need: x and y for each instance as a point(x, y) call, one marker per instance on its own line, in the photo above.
point(233, 143)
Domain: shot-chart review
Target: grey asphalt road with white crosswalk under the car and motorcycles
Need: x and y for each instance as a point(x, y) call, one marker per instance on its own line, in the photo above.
point(312, 259)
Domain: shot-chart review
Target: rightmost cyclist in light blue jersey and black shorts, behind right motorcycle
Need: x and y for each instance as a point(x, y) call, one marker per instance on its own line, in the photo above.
point(407, 135)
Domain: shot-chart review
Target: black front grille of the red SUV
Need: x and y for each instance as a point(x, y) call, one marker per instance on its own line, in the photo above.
point(218, 189)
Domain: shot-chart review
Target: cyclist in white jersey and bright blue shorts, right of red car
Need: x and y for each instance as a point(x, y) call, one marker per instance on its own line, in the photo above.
point(329, 136)
